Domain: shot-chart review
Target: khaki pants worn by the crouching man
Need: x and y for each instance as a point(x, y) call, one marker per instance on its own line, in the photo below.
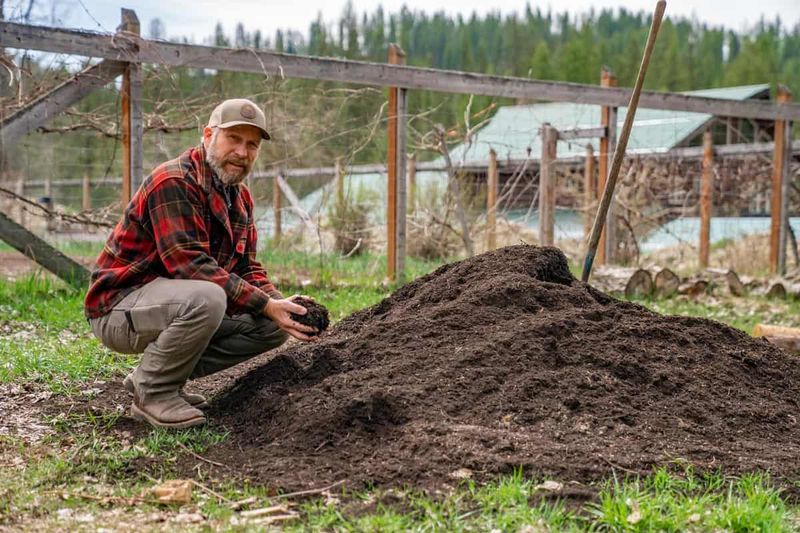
point(182, 332)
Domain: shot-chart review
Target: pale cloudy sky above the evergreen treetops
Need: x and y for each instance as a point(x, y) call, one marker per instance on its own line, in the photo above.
point(196, 19)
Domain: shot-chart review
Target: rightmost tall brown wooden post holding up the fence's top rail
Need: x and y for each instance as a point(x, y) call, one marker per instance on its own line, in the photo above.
point(780, 173)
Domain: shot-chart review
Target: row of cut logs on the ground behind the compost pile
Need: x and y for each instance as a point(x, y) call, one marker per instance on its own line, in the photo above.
point(633, 282)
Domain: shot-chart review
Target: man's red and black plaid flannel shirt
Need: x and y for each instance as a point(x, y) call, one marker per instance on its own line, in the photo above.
point(178, 225)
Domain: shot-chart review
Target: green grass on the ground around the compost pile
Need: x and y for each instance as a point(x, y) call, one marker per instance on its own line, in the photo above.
point(86, 467)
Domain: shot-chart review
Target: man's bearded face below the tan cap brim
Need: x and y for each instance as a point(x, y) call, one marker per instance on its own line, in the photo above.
point(232, 151)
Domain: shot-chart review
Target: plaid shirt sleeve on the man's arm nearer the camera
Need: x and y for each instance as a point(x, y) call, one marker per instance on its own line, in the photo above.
point(182, 239)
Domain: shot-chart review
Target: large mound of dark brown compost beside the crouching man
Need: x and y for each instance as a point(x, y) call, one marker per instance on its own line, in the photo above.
point(506, 360)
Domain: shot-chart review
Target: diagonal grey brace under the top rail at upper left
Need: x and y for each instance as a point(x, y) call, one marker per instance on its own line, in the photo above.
point(51, 104)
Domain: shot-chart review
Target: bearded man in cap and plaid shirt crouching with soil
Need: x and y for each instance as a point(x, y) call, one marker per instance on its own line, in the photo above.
point(178, 279)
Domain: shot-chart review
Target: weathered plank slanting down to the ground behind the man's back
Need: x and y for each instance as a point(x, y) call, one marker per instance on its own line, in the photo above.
point(42, 253)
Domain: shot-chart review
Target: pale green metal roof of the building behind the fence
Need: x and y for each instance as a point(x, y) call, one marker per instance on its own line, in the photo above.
point(514, 130)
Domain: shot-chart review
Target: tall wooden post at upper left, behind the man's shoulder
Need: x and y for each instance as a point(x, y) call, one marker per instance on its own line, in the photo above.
point(132, 126)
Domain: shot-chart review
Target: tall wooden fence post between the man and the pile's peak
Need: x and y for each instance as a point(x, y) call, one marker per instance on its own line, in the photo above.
point(396, 149)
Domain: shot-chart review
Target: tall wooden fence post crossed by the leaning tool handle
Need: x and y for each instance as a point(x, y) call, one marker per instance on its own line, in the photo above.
point(608, 120)
